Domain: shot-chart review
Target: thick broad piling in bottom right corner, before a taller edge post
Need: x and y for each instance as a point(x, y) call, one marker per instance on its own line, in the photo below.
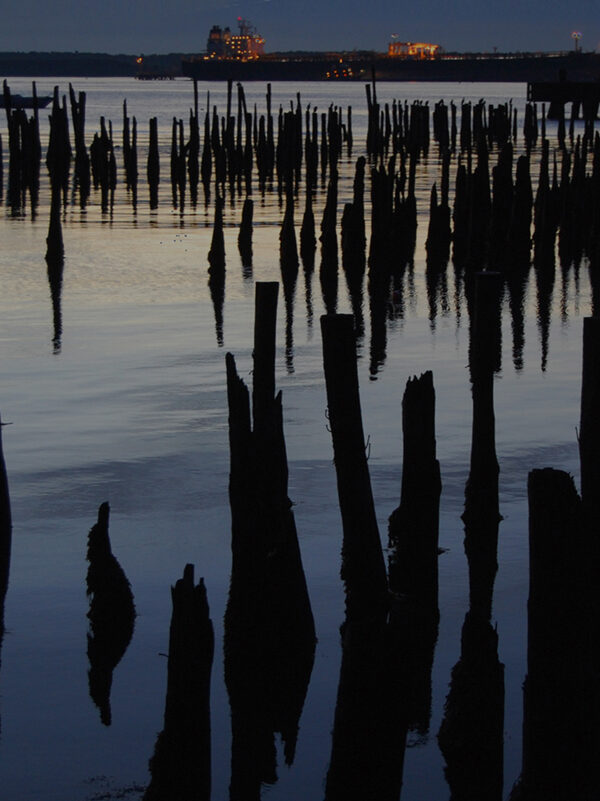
point(560, 695)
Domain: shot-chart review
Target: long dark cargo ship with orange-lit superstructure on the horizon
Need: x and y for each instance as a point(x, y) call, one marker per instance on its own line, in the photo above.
point(241, 57)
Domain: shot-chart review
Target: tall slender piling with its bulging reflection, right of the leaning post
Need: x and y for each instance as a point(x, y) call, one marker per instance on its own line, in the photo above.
point(471, 733)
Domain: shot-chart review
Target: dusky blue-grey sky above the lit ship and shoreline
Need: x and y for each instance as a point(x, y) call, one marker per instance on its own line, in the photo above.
point(160, 26)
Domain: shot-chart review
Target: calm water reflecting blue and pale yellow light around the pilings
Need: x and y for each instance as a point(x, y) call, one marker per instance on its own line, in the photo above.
point(132, 409)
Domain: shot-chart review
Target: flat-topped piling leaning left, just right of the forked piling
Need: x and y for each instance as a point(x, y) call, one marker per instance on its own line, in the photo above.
point(363, 568)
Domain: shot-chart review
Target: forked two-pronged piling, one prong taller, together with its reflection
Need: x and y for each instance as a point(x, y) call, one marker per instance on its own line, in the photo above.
point(269, 628)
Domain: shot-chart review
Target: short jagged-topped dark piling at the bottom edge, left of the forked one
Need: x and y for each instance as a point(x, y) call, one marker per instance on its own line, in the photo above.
point(180, 766)
